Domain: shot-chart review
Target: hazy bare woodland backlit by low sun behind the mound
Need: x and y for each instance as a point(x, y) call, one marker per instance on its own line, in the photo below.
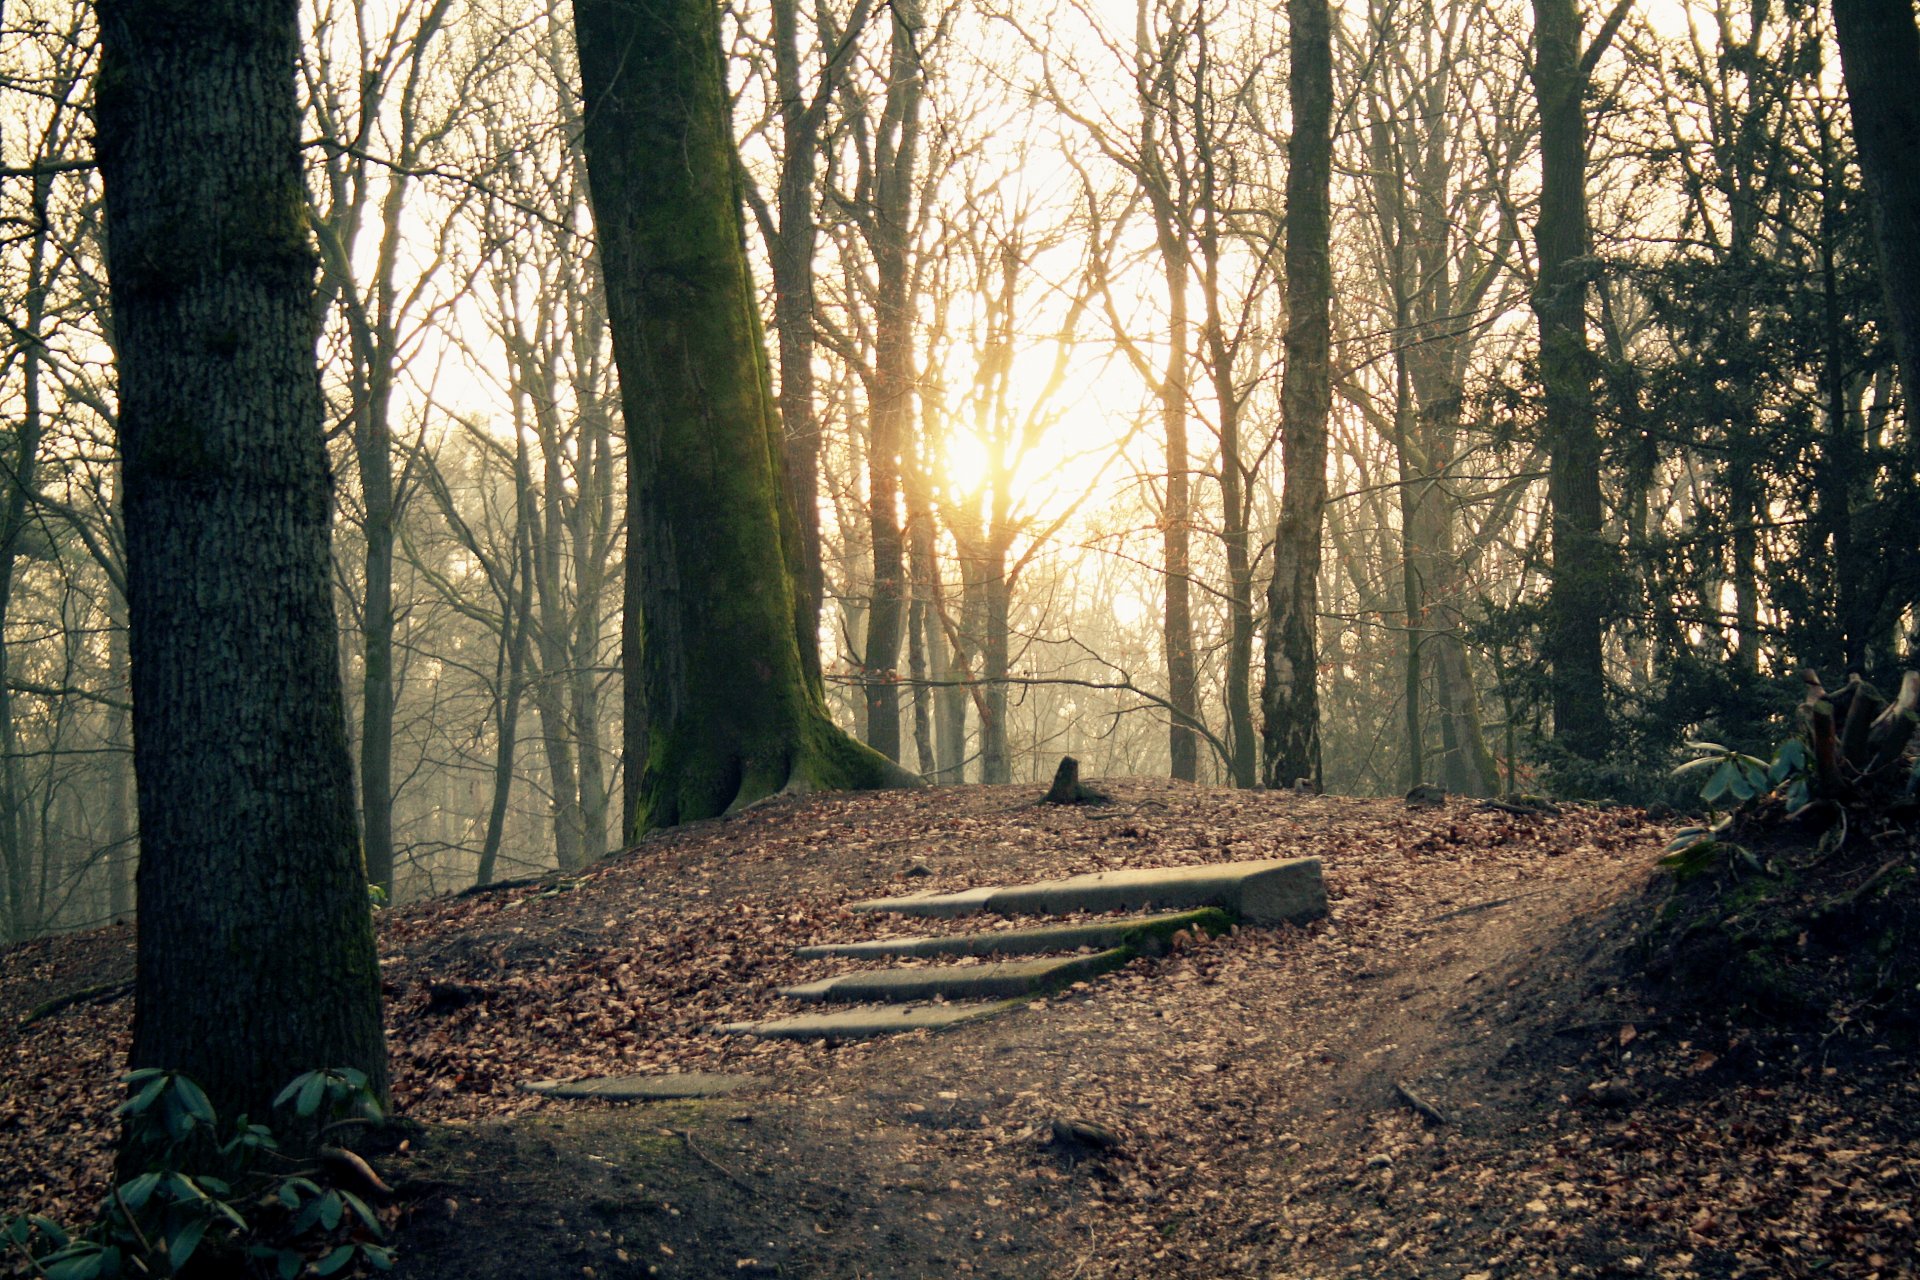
point(1024, 279)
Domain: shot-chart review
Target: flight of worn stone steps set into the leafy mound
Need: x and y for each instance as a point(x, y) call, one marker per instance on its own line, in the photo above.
point(1036, 960)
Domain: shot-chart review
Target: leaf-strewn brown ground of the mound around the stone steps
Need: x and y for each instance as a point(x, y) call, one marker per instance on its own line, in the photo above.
point(1260, 1087)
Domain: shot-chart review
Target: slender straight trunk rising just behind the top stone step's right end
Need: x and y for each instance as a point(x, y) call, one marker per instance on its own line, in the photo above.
point(1291, 696)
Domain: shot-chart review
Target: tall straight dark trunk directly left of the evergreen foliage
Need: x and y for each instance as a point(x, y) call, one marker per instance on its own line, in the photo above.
point(1581, 575)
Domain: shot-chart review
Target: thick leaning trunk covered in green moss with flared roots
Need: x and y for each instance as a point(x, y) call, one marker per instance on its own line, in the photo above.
point(715, 615)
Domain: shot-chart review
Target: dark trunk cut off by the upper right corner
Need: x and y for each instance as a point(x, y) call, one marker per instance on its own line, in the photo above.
point(1881, 60)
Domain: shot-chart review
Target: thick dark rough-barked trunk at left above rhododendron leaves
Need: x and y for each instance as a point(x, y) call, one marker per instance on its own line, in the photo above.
point(256, 957)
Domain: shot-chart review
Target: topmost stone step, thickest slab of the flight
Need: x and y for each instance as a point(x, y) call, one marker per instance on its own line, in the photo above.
point(1259, 893)
